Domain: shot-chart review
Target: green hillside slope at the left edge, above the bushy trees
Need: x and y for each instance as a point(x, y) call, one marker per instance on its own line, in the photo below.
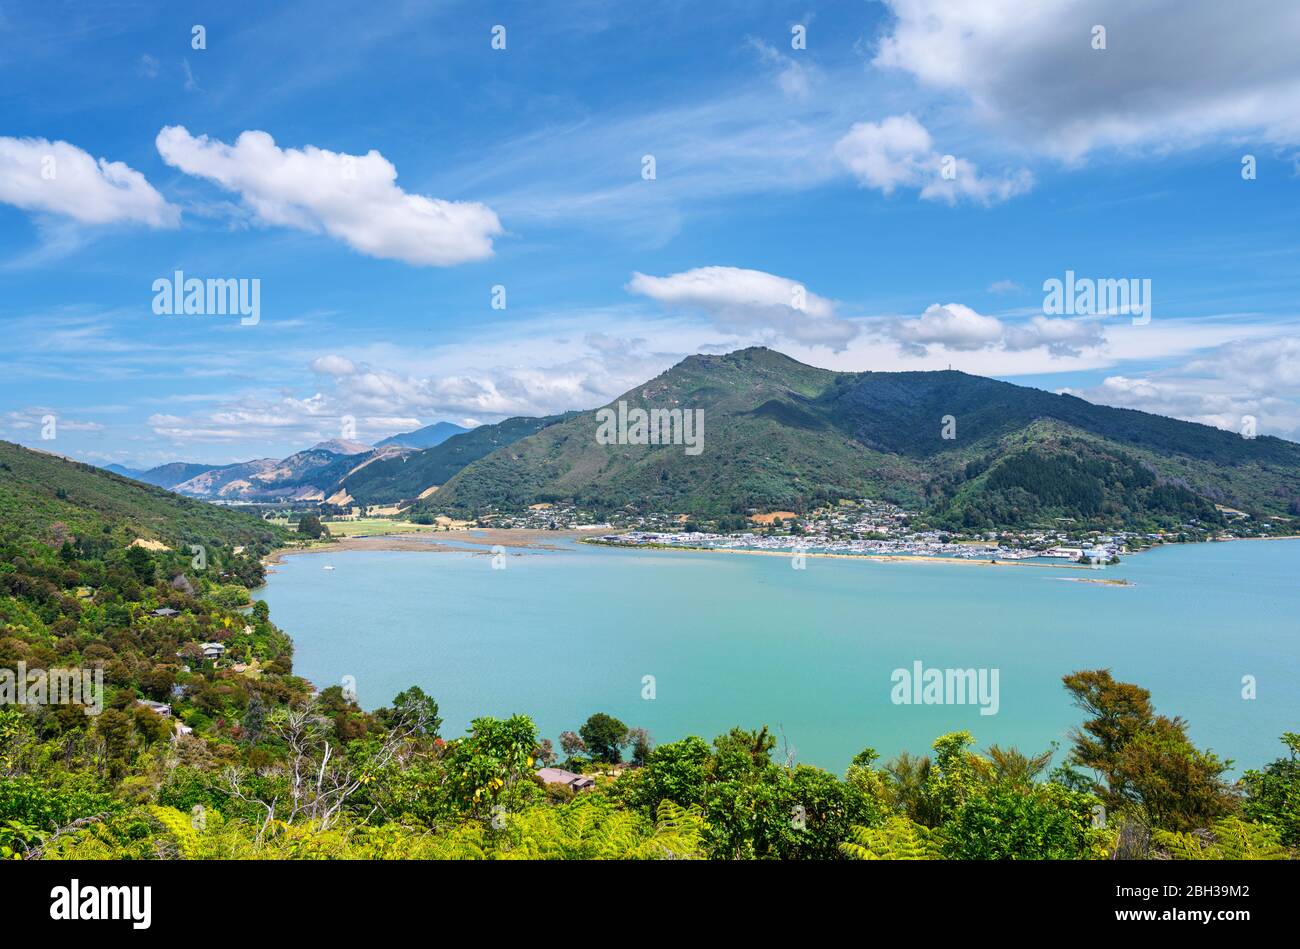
point(50, 499)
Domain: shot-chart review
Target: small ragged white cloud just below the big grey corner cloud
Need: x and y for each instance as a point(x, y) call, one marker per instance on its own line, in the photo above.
point(900, 153)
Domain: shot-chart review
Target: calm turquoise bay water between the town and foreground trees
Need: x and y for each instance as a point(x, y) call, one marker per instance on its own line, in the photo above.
point(740, 640)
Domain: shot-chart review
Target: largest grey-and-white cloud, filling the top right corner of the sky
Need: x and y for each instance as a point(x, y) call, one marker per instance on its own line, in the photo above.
point(1173, 71)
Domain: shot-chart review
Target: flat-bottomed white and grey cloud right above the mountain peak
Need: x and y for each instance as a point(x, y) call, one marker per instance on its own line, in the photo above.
point(746, 301)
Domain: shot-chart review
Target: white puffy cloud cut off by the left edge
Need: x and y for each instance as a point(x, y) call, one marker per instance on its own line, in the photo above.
point(60, 179)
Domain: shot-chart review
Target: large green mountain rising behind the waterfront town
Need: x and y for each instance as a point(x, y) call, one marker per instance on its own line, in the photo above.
point(779, 435)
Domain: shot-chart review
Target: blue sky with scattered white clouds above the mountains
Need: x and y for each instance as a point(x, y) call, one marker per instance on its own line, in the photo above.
point(915, 174)
